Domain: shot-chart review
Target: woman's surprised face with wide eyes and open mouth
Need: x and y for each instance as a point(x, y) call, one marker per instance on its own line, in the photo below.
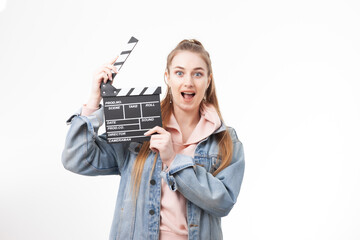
point(188, 80)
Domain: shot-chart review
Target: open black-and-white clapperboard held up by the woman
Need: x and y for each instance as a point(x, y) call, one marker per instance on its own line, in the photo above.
point(130, 112)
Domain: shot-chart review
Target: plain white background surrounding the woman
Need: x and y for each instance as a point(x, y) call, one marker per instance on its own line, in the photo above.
point(287, 77)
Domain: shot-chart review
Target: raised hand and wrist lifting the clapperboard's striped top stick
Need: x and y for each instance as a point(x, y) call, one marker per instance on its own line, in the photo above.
point(103, 74)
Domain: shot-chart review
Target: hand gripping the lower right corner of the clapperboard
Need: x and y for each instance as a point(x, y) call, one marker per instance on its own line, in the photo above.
point(162, 143)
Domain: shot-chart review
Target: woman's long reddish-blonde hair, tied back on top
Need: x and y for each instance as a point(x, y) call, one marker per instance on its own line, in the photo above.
point(223, 138)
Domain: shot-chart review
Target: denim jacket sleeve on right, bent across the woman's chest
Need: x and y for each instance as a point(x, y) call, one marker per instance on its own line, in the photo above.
point(214, 194)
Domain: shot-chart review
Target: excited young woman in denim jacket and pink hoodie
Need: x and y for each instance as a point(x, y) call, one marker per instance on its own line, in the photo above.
point(178, 185)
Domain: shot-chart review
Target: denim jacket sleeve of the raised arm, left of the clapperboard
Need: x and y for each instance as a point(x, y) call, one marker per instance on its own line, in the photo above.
point(85, 152)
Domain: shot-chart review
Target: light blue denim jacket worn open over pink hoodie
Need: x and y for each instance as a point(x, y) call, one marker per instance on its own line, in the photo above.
point(208, 198)
